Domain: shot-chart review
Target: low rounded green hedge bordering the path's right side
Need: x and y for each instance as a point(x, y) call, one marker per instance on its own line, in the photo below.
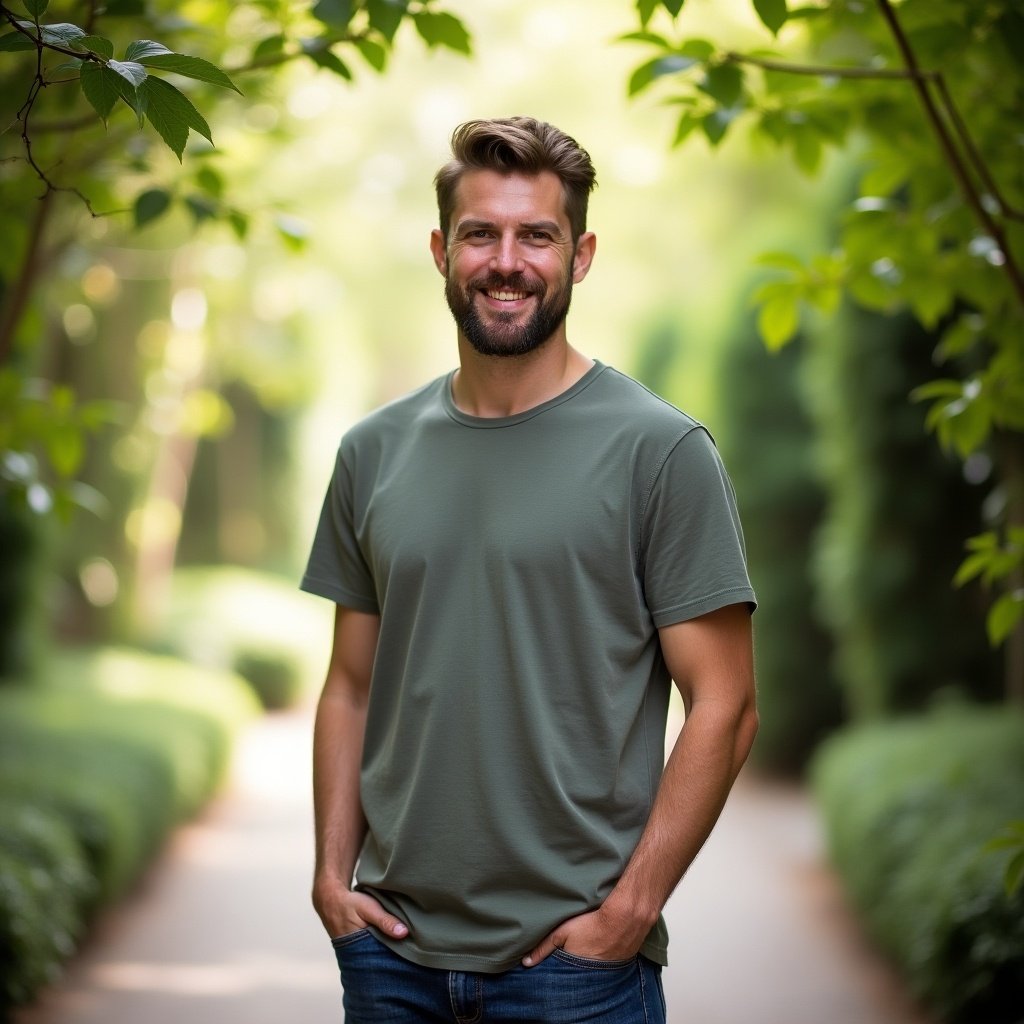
point(909, 808)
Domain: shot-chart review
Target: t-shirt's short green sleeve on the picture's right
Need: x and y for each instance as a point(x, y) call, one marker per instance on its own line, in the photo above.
point(693, 556)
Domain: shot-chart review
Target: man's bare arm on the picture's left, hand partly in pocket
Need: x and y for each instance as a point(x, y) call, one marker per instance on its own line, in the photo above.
point(338, 733)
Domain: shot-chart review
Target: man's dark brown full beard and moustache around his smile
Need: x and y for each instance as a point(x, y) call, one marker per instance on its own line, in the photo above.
point(504, 336)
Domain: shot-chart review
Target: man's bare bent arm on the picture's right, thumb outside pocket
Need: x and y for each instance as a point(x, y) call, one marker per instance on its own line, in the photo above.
point(711, 660)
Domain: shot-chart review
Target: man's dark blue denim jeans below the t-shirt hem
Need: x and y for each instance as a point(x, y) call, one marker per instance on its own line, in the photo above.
point(381, 988)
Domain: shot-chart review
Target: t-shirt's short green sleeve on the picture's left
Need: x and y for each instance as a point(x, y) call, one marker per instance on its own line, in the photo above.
point(337, 569)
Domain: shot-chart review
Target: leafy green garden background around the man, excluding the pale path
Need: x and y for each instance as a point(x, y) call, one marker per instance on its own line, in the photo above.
point(814, 262)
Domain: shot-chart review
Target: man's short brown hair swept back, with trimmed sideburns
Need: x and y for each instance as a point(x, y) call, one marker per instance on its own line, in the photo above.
point(519, 146)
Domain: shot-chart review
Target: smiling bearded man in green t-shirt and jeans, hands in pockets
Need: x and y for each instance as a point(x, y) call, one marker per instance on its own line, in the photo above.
point(525, 554)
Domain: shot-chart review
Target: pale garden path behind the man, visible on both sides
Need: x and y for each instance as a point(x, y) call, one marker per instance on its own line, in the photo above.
point(221, 932)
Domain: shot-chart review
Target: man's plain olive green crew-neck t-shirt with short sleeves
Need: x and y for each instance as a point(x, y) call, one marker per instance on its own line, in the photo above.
point(522, 568)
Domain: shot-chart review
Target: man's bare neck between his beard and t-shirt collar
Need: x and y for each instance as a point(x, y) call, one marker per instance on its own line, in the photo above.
point(493, 387)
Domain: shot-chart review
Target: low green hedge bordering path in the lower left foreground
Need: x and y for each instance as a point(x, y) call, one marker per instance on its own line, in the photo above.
point(99, 763)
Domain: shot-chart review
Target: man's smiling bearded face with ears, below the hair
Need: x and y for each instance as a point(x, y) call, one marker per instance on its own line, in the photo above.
point(509, 263)
